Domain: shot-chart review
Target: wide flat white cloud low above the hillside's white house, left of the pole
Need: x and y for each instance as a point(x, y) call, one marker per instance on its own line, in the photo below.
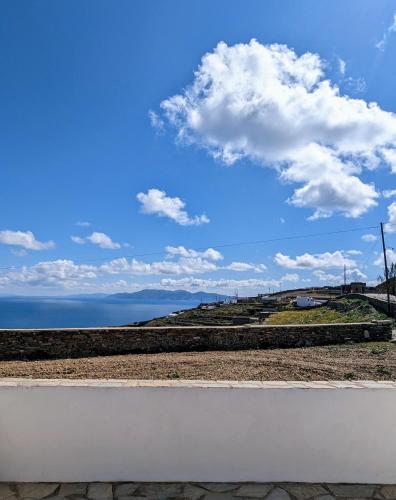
point(311, 261)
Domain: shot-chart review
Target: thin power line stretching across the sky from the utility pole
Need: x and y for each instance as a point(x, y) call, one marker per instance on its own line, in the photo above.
point(225, 245)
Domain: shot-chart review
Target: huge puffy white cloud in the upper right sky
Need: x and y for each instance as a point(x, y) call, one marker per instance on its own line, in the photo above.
point(266, 103)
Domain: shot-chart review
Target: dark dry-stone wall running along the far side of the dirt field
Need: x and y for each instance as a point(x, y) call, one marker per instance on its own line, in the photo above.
point(74, 343)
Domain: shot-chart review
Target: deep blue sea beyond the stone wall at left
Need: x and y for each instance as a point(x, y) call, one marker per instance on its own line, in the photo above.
point(54, 312)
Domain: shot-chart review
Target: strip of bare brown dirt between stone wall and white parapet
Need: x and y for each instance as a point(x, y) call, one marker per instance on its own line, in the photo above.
point(366, 361)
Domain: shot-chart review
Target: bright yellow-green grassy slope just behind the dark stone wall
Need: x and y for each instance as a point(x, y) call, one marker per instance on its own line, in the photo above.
point(336, 311)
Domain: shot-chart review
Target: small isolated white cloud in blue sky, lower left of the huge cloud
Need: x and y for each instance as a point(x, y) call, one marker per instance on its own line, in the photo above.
point(157, 202)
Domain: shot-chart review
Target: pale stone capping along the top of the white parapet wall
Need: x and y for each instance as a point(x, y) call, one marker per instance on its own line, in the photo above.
point(203, 384)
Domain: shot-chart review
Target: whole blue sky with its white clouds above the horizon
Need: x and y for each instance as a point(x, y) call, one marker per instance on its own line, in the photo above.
point(203, 145)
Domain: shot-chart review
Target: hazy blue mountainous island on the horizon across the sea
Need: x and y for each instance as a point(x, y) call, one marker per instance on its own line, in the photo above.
point(168, 295)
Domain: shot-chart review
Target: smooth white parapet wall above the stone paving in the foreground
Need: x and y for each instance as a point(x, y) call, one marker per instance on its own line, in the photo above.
point(91, 430)
